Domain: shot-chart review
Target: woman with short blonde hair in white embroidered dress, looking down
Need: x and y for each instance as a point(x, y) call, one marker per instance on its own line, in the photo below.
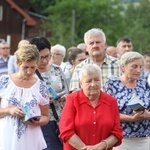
point(20, 90)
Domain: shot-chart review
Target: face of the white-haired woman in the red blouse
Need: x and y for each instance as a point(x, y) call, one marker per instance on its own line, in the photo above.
point(90, 84)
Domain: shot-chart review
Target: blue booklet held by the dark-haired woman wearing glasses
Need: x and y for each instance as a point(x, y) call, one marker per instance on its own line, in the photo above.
point(54, 95)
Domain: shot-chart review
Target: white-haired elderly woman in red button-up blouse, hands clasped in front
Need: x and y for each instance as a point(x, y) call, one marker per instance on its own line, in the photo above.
point(90, 118)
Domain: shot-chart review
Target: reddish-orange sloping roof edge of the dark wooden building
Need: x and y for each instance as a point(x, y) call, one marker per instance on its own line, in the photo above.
point(29, 20)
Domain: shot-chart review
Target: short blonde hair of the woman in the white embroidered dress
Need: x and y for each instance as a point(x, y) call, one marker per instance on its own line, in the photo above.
point(27, 52)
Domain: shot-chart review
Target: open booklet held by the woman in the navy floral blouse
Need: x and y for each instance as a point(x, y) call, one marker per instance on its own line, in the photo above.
point(136, 104)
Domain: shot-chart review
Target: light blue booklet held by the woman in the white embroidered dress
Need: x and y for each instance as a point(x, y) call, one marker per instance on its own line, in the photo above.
point(29, 115)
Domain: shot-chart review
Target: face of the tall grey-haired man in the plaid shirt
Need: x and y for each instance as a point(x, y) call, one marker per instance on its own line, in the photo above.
point(96, 46)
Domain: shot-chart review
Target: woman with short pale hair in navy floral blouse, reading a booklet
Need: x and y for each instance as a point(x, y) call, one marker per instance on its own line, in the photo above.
point(135, 123)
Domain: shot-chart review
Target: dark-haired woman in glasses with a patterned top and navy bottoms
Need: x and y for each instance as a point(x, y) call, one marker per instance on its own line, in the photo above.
point(53, 77)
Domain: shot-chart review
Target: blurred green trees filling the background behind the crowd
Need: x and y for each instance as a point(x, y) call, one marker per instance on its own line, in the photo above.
point(68, 20)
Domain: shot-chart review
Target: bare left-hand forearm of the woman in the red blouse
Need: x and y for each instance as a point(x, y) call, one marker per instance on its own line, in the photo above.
point(76, 142)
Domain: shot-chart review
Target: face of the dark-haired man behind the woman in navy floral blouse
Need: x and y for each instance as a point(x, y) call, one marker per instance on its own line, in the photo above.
point(124, 47)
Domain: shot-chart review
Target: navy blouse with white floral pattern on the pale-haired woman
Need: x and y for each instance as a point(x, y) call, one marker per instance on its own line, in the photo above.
point(123, 94)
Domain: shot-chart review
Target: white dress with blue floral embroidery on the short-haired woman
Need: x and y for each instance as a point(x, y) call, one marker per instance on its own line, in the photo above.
point(14, 134)
